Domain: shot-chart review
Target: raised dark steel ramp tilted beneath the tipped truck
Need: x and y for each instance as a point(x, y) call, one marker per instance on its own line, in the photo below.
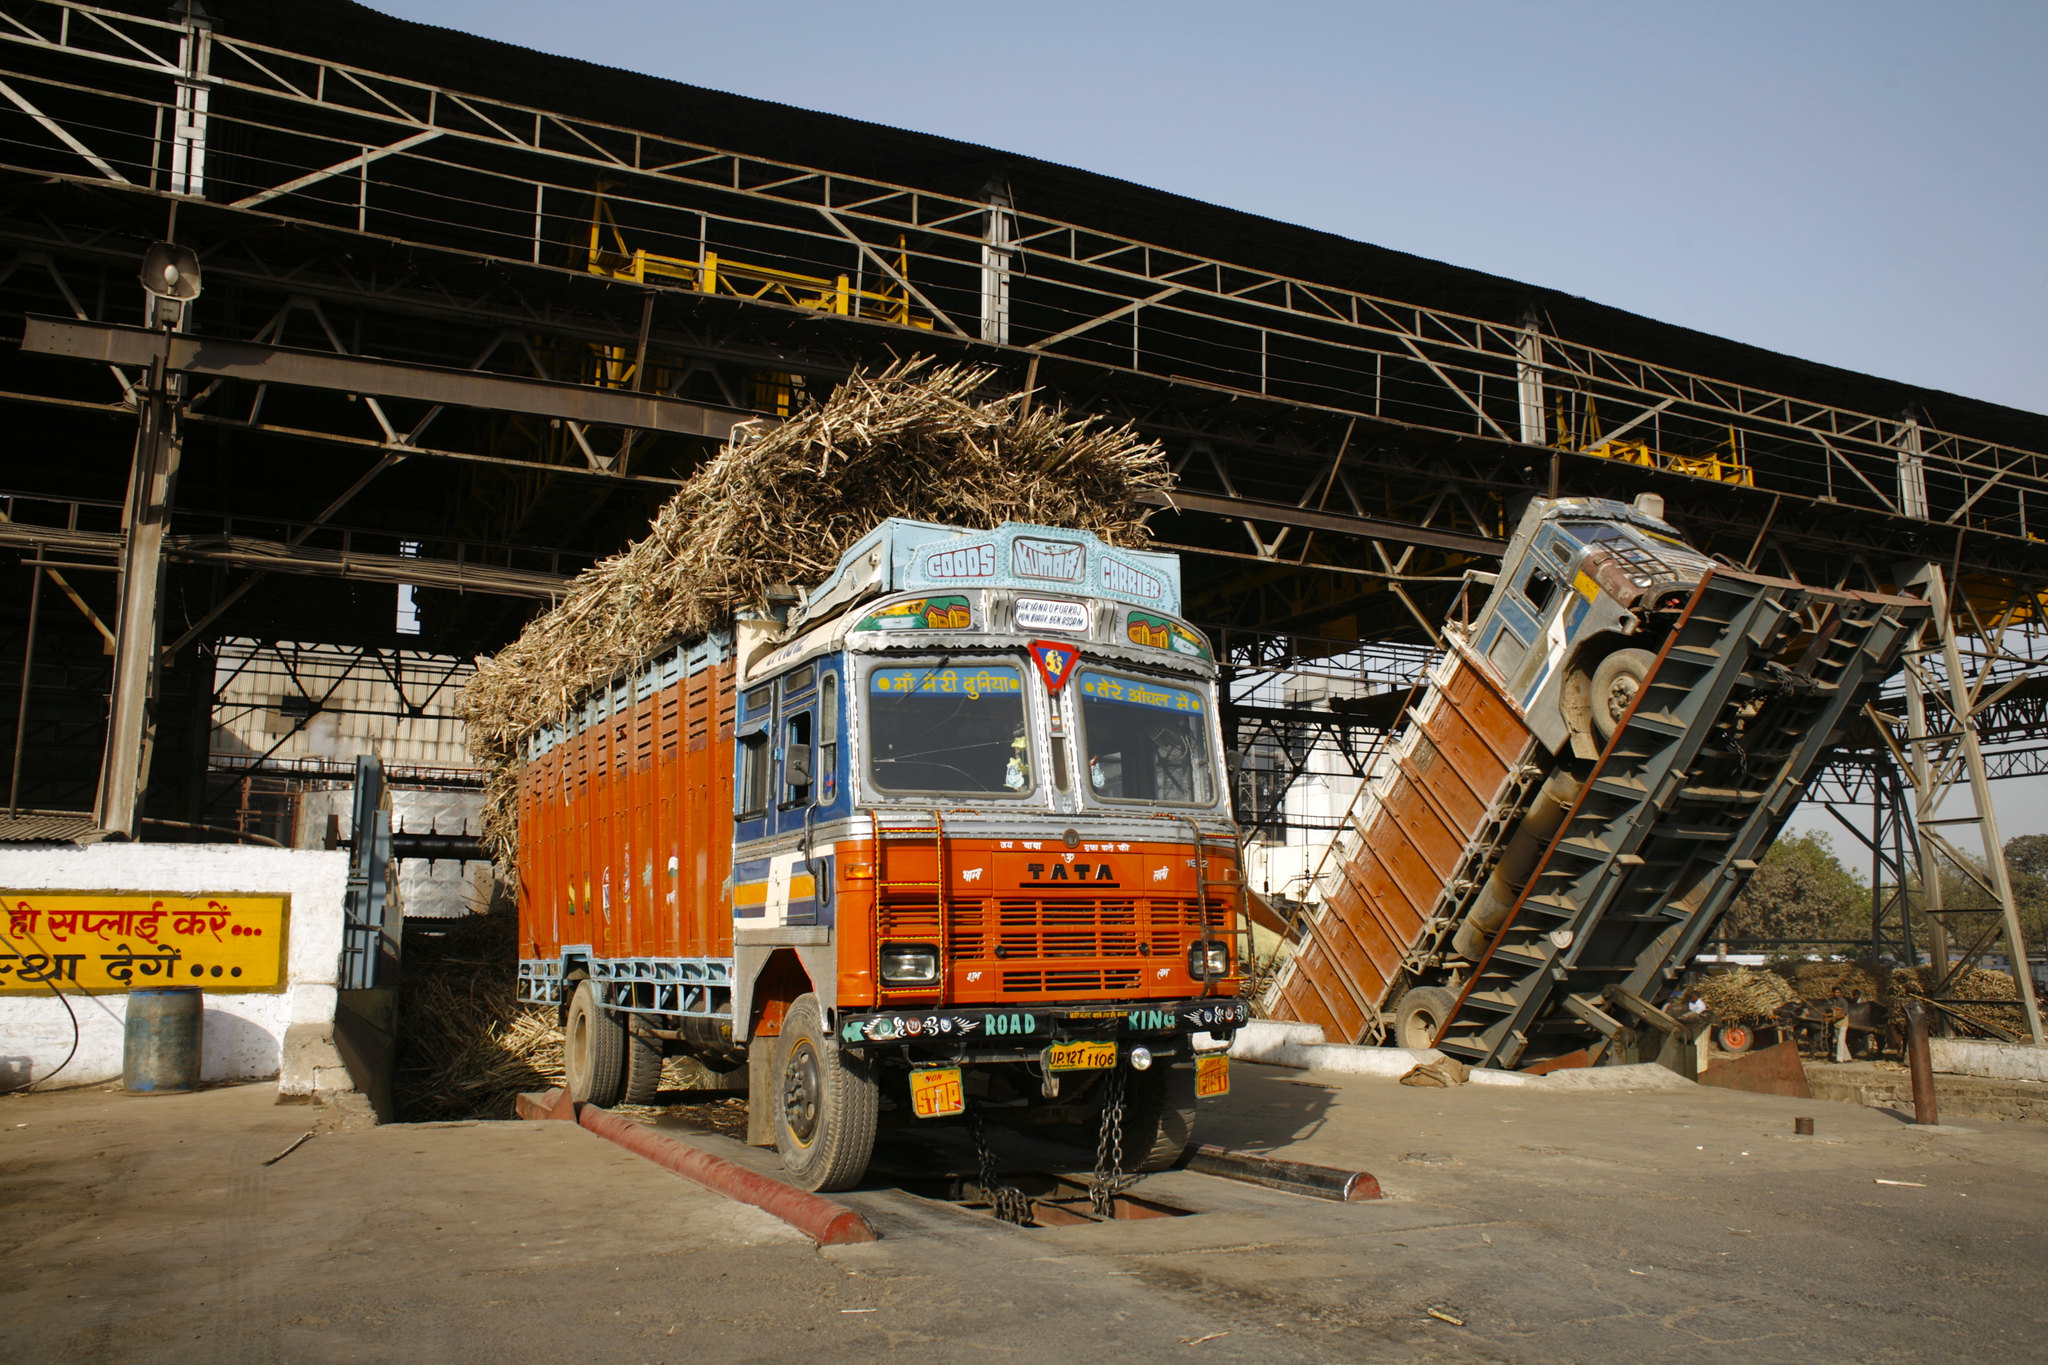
point(1697, 783)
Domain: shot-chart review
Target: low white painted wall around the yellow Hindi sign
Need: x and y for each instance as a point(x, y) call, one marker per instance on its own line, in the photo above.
point(245, 1034)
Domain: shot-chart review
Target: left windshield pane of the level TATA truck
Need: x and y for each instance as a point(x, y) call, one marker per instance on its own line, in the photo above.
point(949, 728)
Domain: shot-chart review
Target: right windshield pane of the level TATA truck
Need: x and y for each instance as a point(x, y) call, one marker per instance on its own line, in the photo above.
point(1146, 742)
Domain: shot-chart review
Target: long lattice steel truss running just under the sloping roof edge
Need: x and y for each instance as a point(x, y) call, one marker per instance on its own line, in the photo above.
point(1275, 335)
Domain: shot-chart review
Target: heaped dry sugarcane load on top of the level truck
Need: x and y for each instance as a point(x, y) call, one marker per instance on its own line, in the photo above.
point(777, 509)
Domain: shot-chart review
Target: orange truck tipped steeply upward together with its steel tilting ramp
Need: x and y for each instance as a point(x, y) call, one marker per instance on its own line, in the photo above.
point(1586, 783)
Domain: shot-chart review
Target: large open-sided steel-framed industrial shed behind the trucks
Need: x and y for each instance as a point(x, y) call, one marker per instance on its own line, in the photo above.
point(335, 345)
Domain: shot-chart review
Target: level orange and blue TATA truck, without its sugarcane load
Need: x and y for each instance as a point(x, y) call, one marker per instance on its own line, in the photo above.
point(955, 832)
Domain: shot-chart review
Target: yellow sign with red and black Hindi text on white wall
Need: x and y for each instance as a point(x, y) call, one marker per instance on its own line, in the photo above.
point(114, 942)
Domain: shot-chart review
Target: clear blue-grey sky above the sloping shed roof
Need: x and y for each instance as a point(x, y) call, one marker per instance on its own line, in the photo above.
point(1859, 183)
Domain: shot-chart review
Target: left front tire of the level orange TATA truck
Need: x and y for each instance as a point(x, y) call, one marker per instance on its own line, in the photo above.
point(824, 1104)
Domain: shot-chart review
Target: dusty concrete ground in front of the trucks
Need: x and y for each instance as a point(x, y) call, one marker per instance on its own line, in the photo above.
point(1558, 1227)
